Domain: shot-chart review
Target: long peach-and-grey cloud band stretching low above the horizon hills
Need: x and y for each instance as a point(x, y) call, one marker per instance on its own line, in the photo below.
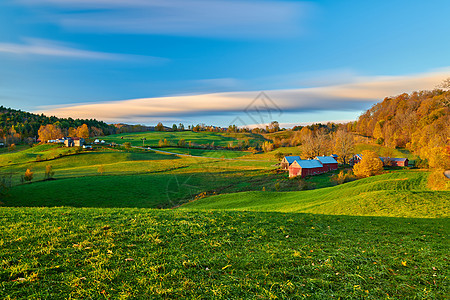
point(355, 96)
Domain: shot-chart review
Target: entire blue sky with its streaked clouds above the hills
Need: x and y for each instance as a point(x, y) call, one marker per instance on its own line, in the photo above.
point(144, 61)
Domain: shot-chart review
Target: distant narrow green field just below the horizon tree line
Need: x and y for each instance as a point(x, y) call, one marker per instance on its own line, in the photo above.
point(199, 138)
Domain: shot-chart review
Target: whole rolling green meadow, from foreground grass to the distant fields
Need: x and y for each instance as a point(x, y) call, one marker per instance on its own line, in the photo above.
point(125, 224)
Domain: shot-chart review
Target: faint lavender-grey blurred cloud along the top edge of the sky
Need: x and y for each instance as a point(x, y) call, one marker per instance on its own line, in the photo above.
point(204, 18)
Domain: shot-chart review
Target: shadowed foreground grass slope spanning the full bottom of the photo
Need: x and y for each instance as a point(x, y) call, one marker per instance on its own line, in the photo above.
point(56, 253)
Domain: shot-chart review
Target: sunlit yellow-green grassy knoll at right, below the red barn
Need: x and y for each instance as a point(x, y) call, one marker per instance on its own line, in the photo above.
point(402, 194)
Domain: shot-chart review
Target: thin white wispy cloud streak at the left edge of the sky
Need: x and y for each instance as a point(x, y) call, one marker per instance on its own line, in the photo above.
point(33, 46)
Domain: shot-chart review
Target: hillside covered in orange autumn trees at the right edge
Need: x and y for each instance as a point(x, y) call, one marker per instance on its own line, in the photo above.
point(418, 121)
